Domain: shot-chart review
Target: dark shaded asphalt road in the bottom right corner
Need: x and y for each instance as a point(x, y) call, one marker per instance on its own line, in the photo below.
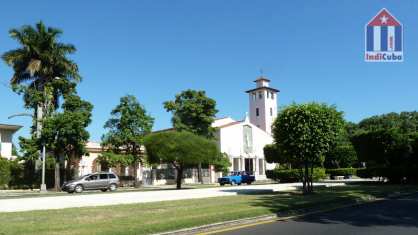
point(391, 217)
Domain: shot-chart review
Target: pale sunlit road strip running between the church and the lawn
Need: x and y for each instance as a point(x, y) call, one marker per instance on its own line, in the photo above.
point(101, 199)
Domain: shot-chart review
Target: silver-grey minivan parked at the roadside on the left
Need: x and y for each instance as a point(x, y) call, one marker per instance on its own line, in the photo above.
point(97, 181)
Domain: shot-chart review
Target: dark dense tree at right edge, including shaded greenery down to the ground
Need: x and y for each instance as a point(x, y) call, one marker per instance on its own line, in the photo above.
point(387, 143)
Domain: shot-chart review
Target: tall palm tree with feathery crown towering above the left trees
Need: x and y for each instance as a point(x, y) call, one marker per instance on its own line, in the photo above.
point(38, 63)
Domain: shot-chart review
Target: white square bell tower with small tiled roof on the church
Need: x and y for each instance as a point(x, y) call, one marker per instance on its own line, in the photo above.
point(263, 104)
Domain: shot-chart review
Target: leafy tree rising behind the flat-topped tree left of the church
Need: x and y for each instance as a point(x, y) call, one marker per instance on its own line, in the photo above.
point(194, 112)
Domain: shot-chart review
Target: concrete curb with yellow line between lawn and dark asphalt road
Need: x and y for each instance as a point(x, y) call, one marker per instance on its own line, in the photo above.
point(265, 219)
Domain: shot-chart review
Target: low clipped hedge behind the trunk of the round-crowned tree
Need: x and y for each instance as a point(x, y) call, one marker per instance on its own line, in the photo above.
point(293, 175)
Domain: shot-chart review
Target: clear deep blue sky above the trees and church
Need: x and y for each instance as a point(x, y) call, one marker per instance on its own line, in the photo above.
point(310, 50)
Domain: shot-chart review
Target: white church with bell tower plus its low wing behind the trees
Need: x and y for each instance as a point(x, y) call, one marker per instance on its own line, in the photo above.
point(243, 141)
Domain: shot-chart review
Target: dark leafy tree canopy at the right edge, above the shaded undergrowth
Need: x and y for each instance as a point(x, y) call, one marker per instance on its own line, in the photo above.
point(386, 140)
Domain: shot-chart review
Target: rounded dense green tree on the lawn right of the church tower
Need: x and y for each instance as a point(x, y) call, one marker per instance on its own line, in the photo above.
point(304, 134)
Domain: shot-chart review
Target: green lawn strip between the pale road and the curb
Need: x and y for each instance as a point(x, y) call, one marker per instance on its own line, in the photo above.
point(165, 216)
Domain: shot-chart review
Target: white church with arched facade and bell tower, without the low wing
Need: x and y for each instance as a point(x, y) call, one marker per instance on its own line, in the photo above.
point(244, 140)
